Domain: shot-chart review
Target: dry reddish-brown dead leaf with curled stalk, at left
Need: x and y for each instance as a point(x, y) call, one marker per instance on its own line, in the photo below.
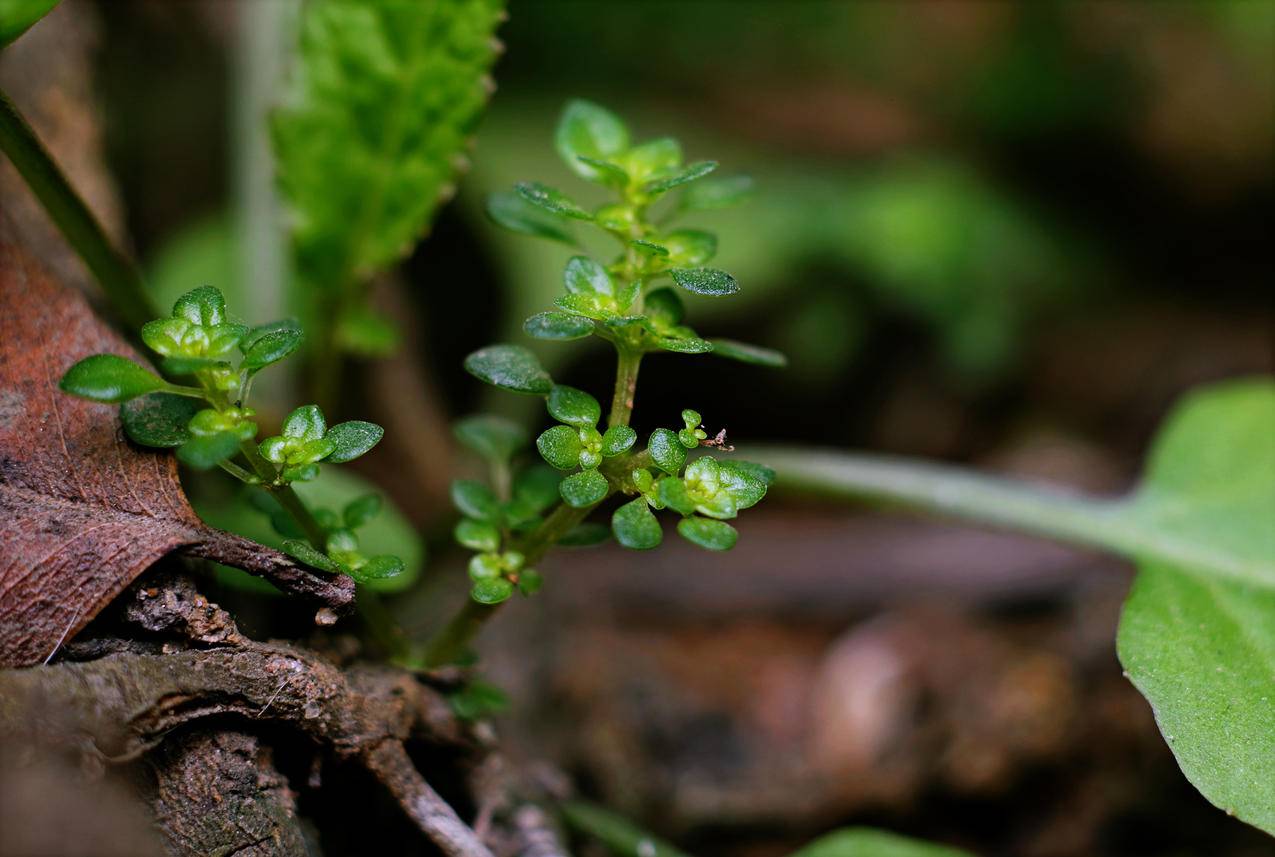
point(82, 512)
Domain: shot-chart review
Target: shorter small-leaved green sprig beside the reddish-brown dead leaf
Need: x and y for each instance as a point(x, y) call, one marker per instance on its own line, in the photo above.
point(210, 424)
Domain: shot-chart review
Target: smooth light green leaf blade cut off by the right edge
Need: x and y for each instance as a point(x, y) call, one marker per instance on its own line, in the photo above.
point(1198, 645)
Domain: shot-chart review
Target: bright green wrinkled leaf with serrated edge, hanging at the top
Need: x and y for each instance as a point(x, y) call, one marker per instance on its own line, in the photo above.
point(384, 99)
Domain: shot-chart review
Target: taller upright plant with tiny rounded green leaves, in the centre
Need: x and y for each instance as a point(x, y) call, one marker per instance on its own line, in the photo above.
point(512, 522)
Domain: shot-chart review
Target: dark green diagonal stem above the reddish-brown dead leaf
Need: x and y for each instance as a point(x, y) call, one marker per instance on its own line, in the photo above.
point(117, 275)
